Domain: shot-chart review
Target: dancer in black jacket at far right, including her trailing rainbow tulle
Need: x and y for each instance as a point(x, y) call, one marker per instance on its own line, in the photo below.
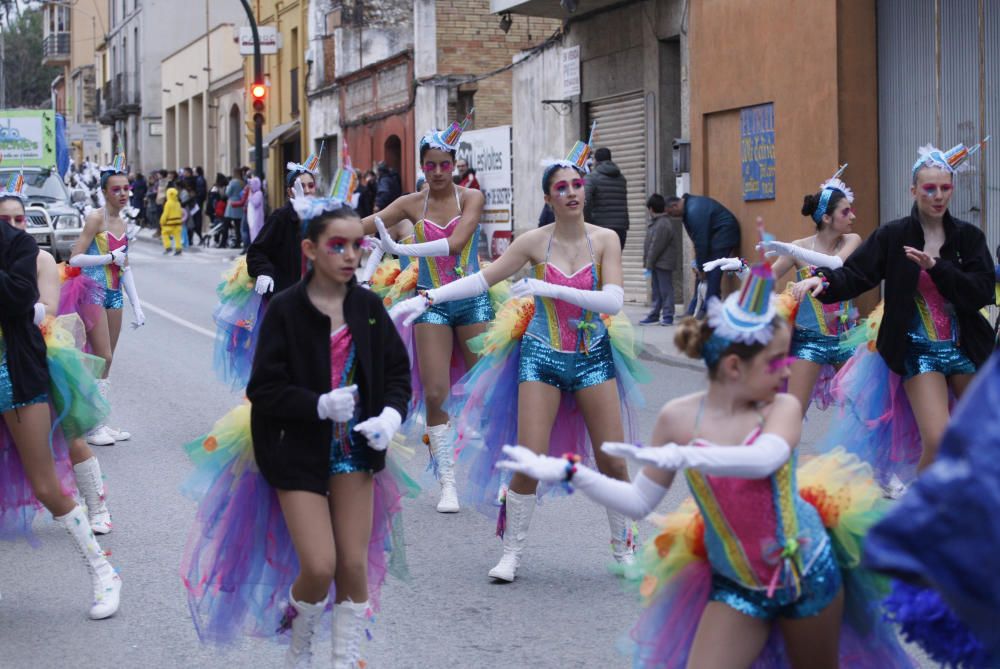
point(937, 274)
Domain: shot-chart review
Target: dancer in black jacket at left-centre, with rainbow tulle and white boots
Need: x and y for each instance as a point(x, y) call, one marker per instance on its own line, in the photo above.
point(278, 483)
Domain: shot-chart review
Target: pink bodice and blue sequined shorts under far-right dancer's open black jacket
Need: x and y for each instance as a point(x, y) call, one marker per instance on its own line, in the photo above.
point(931, 343)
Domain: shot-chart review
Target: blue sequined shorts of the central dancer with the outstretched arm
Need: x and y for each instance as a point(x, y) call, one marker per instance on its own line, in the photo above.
point(566, 371)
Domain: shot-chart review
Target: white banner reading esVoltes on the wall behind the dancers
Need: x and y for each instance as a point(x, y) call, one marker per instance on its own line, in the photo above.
point(488, 151)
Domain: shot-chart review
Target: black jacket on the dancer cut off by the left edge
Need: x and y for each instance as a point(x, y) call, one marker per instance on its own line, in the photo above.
point(29, 373)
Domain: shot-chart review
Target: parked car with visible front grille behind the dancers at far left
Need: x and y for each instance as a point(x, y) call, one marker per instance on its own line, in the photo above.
point(52, 219)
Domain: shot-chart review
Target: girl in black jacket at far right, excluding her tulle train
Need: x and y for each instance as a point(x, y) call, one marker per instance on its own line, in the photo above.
point(938, 275)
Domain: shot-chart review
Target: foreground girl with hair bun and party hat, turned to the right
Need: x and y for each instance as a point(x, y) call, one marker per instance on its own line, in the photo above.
point(768, 552)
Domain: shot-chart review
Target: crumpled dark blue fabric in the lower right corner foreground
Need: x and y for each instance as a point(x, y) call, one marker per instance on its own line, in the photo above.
point(946, 528)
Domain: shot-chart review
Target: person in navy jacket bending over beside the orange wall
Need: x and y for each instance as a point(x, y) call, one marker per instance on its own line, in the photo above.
point(714, 231)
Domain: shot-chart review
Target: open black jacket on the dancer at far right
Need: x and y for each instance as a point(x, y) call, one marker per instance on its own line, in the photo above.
point(964, 275)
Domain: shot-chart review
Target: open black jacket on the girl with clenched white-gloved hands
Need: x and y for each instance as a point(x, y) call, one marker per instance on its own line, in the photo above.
point(291, 369)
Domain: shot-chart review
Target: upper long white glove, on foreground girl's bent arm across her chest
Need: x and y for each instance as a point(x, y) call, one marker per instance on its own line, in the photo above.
point(762, 458)
